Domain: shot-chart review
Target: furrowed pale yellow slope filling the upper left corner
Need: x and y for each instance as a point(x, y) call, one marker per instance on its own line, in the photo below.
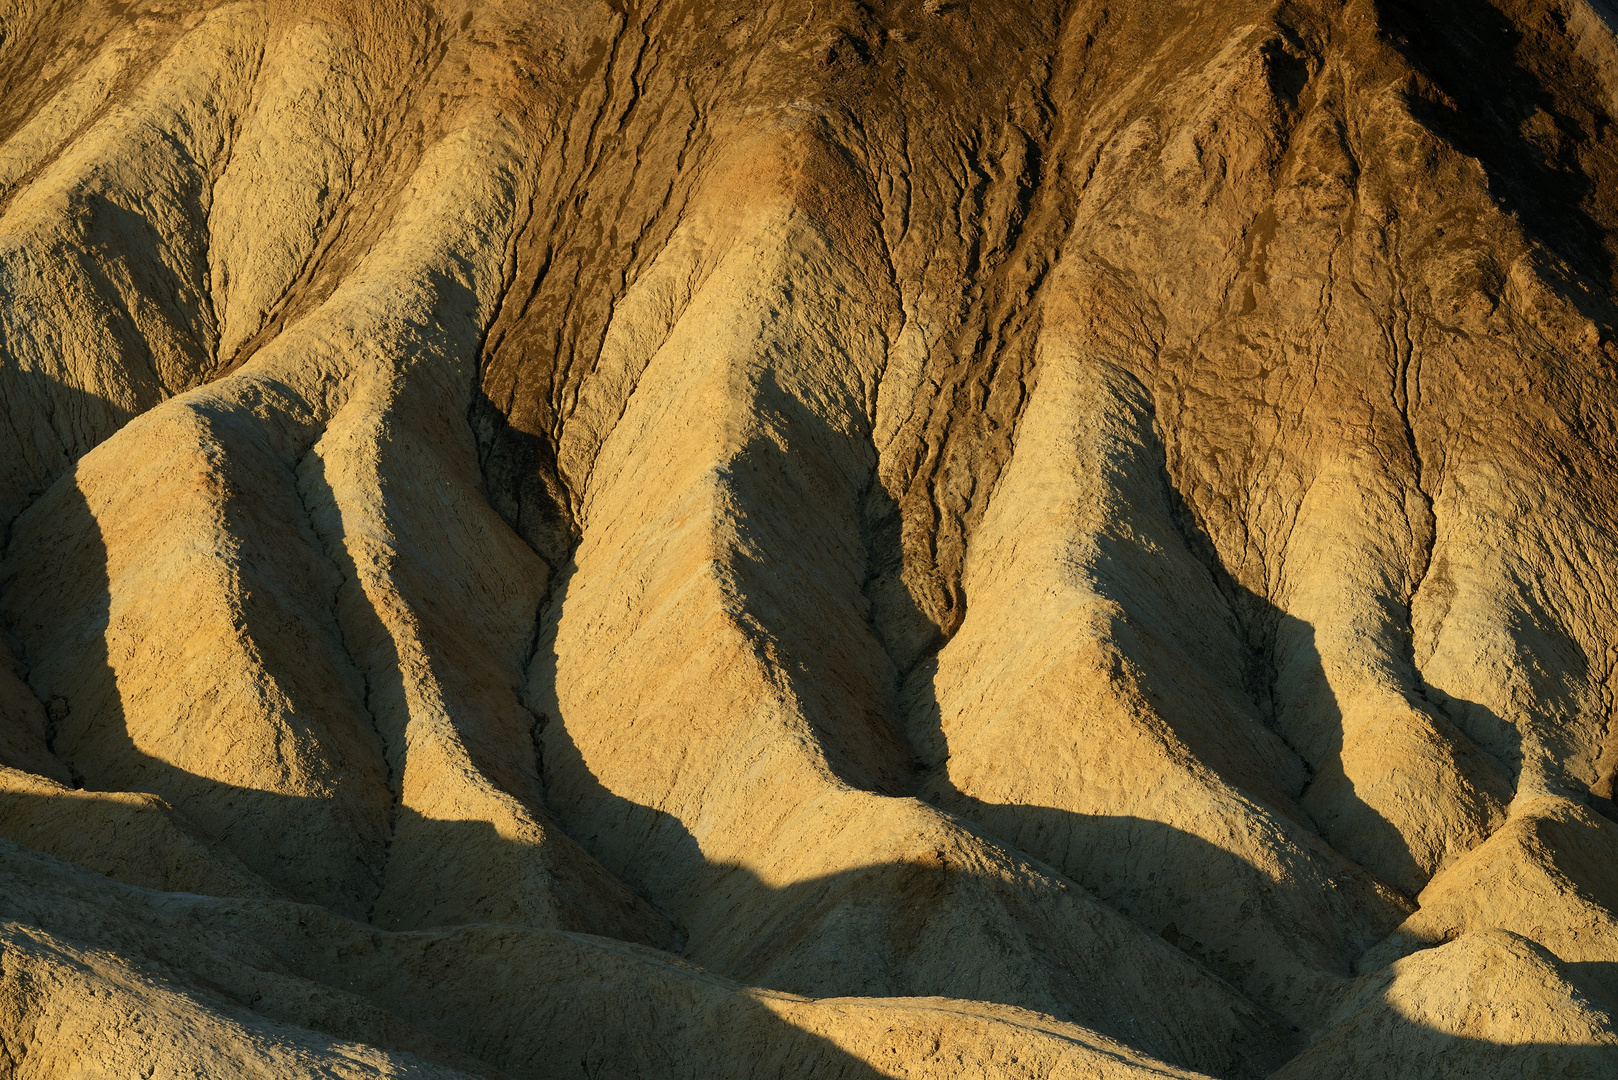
point(104, 274)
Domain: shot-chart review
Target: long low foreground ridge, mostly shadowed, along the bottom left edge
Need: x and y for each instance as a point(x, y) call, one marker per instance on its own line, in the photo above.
point(520, 1000)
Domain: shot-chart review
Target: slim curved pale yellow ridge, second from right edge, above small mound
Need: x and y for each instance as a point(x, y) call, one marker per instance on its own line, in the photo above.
point(1397, 788)
